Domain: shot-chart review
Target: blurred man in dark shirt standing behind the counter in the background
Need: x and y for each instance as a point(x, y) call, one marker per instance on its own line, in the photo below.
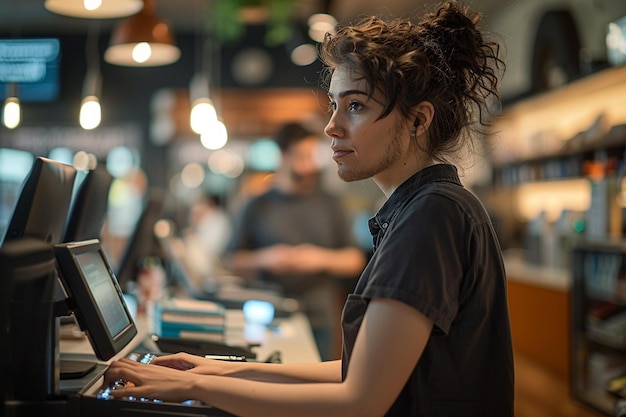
point(297, 235)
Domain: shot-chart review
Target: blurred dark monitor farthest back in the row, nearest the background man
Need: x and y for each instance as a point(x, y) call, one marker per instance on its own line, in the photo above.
point(142, 242)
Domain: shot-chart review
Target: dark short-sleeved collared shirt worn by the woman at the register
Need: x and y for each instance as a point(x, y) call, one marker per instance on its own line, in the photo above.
point(436, 250)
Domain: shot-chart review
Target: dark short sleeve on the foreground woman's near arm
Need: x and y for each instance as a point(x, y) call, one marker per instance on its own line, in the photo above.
point(419, 261)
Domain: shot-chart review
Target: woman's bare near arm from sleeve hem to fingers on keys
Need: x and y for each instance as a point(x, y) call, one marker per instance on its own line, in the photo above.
point(389, 344)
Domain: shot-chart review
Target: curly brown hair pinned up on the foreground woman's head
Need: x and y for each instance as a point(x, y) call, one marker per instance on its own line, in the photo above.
point(442, 59)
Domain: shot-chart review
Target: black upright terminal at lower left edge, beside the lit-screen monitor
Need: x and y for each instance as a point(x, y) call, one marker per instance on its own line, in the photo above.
point(27, 337)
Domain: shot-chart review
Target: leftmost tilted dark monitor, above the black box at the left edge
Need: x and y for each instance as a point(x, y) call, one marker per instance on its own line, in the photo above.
point(43, 202)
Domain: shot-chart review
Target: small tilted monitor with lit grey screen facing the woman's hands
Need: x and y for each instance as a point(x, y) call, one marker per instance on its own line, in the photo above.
point(95, 296)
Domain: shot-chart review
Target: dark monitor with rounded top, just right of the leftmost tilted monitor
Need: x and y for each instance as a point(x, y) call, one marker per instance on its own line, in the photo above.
point(89, 206)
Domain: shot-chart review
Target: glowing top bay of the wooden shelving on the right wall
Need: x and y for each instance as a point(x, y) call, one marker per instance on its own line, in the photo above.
point(581, 113)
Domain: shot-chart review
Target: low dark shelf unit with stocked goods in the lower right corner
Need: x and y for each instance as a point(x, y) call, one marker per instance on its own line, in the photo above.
point(598, 326)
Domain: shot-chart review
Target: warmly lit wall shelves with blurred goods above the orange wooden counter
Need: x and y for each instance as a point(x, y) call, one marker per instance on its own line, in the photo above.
point(563, 150)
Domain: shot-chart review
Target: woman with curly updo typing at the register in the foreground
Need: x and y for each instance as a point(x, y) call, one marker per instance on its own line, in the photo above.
point(426, 332)
